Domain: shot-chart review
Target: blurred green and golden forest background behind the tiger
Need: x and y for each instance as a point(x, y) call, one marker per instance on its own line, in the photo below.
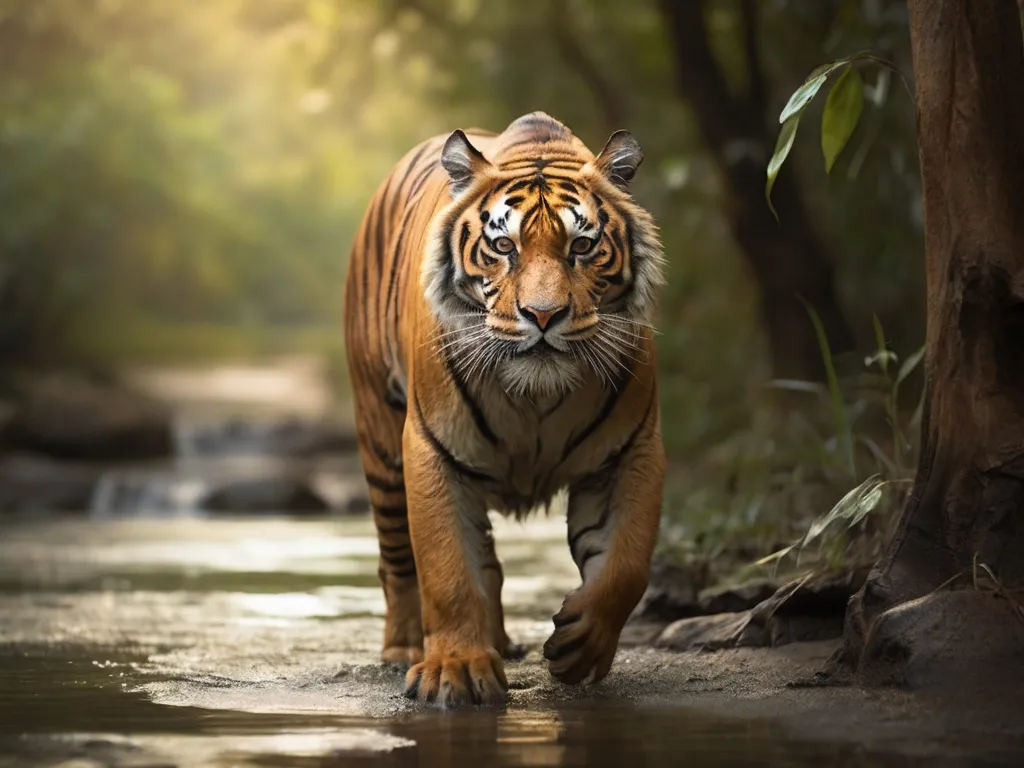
point(183, 183)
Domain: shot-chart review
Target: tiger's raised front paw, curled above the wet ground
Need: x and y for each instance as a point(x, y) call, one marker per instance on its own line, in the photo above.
point(584, 642)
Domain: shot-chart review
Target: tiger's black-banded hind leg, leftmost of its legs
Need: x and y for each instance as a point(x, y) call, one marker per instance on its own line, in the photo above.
point(379, 426)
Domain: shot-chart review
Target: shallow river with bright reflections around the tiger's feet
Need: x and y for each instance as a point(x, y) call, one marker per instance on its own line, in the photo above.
point(212, 643)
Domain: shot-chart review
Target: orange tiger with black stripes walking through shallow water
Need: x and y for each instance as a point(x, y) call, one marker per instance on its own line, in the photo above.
point(499, 311)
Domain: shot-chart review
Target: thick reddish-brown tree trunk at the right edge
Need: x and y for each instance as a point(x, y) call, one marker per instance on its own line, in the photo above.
point(967, 507)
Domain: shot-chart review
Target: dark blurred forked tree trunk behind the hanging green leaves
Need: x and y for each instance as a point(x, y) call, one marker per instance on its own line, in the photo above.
point(790, 263)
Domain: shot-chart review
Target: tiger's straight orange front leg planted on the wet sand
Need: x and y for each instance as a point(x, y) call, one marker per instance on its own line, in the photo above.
point(461, 665)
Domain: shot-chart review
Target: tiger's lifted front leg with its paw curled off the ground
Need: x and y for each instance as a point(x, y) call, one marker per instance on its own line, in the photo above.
point(614, 520)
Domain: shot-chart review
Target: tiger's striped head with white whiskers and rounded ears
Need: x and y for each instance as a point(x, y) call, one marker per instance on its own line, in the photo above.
point(543, 266)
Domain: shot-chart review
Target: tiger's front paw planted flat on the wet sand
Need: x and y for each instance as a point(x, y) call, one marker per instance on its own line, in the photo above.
point(457, 677)
